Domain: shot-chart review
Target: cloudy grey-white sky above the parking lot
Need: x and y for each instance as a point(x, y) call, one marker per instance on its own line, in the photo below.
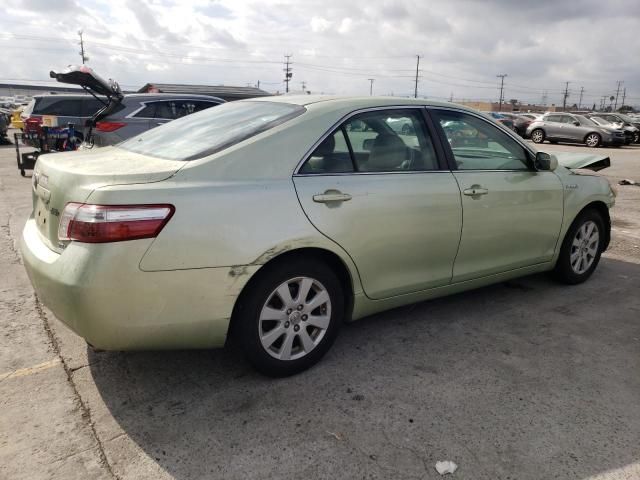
point(337, 45)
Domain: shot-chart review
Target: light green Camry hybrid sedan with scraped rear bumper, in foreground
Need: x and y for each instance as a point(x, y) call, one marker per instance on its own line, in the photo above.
point(273, 221)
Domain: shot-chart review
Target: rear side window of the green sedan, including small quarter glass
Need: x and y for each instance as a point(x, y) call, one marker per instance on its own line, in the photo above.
point(377, 141)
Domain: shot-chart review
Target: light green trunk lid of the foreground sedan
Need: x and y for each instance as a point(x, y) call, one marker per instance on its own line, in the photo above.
point(61, 178)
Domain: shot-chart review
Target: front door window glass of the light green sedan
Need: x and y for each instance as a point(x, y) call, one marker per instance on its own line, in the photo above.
point(476, 144)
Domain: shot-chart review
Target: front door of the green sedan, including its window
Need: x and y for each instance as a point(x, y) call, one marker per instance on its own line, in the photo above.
point(511, 214)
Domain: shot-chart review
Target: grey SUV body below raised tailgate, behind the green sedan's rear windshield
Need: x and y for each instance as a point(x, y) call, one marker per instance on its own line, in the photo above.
point(143, 111)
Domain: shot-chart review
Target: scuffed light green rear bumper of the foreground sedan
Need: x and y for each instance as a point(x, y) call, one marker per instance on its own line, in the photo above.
point(100, 293)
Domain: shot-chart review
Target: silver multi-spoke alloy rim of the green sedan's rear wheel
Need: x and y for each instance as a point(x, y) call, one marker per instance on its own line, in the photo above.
point(295, 318)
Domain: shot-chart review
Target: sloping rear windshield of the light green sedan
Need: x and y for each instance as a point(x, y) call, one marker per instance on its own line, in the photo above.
point(211, 130)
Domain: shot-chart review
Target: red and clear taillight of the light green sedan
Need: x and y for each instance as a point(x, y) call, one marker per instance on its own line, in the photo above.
point(112, 223)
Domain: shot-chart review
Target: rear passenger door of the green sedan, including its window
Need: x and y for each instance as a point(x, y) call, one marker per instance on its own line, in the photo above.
point(387, 198)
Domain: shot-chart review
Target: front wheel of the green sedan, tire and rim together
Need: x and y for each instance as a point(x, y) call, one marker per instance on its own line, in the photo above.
point(581, 249)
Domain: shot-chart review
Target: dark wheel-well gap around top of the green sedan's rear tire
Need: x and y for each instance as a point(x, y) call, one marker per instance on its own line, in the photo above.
point(333, 260)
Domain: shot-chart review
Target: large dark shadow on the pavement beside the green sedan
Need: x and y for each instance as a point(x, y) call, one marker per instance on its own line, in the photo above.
point(527, 379)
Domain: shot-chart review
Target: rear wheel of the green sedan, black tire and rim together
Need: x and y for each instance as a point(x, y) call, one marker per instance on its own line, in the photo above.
point(291, 316)
